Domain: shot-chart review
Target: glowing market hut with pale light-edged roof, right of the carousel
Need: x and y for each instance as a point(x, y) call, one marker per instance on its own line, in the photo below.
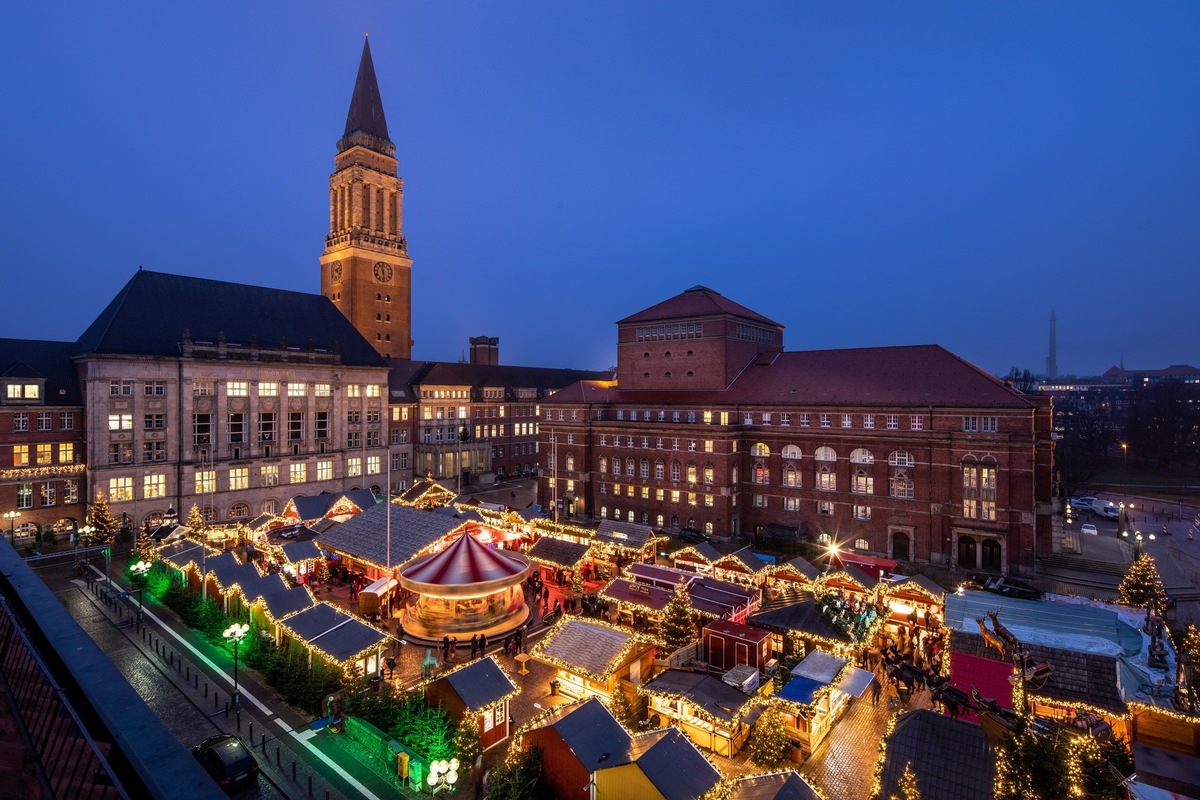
point(595, 659)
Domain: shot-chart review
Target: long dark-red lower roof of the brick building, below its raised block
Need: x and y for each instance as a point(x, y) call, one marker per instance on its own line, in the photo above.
point(886, 377)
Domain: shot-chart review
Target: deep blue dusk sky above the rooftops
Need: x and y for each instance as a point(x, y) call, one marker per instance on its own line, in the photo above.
point(866, 175)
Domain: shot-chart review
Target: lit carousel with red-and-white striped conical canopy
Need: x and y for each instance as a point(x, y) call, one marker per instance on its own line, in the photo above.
point(465, 590)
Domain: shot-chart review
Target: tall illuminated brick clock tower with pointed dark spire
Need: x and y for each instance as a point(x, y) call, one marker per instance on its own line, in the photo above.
point(365, 269)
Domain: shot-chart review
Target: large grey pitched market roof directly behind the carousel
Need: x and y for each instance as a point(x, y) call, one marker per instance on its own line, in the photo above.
point(365, 537)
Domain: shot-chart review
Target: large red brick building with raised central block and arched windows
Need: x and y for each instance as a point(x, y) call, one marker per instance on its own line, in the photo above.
point(907, 453)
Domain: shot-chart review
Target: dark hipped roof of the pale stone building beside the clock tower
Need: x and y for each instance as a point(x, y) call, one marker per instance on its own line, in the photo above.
point(134, 323)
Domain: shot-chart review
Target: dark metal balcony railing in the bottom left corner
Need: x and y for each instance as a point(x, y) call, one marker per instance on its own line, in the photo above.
point(69, 762)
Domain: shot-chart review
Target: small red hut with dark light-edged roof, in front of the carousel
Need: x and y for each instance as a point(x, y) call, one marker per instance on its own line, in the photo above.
point(482, 689)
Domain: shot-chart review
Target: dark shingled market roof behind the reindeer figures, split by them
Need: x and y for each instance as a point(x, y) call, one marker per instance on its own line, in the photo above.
point(1078, 677)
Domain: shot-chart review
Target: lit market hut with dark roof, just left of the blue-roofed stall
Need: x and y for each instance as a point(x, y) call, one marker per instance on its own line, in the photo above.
point(711, 712)
